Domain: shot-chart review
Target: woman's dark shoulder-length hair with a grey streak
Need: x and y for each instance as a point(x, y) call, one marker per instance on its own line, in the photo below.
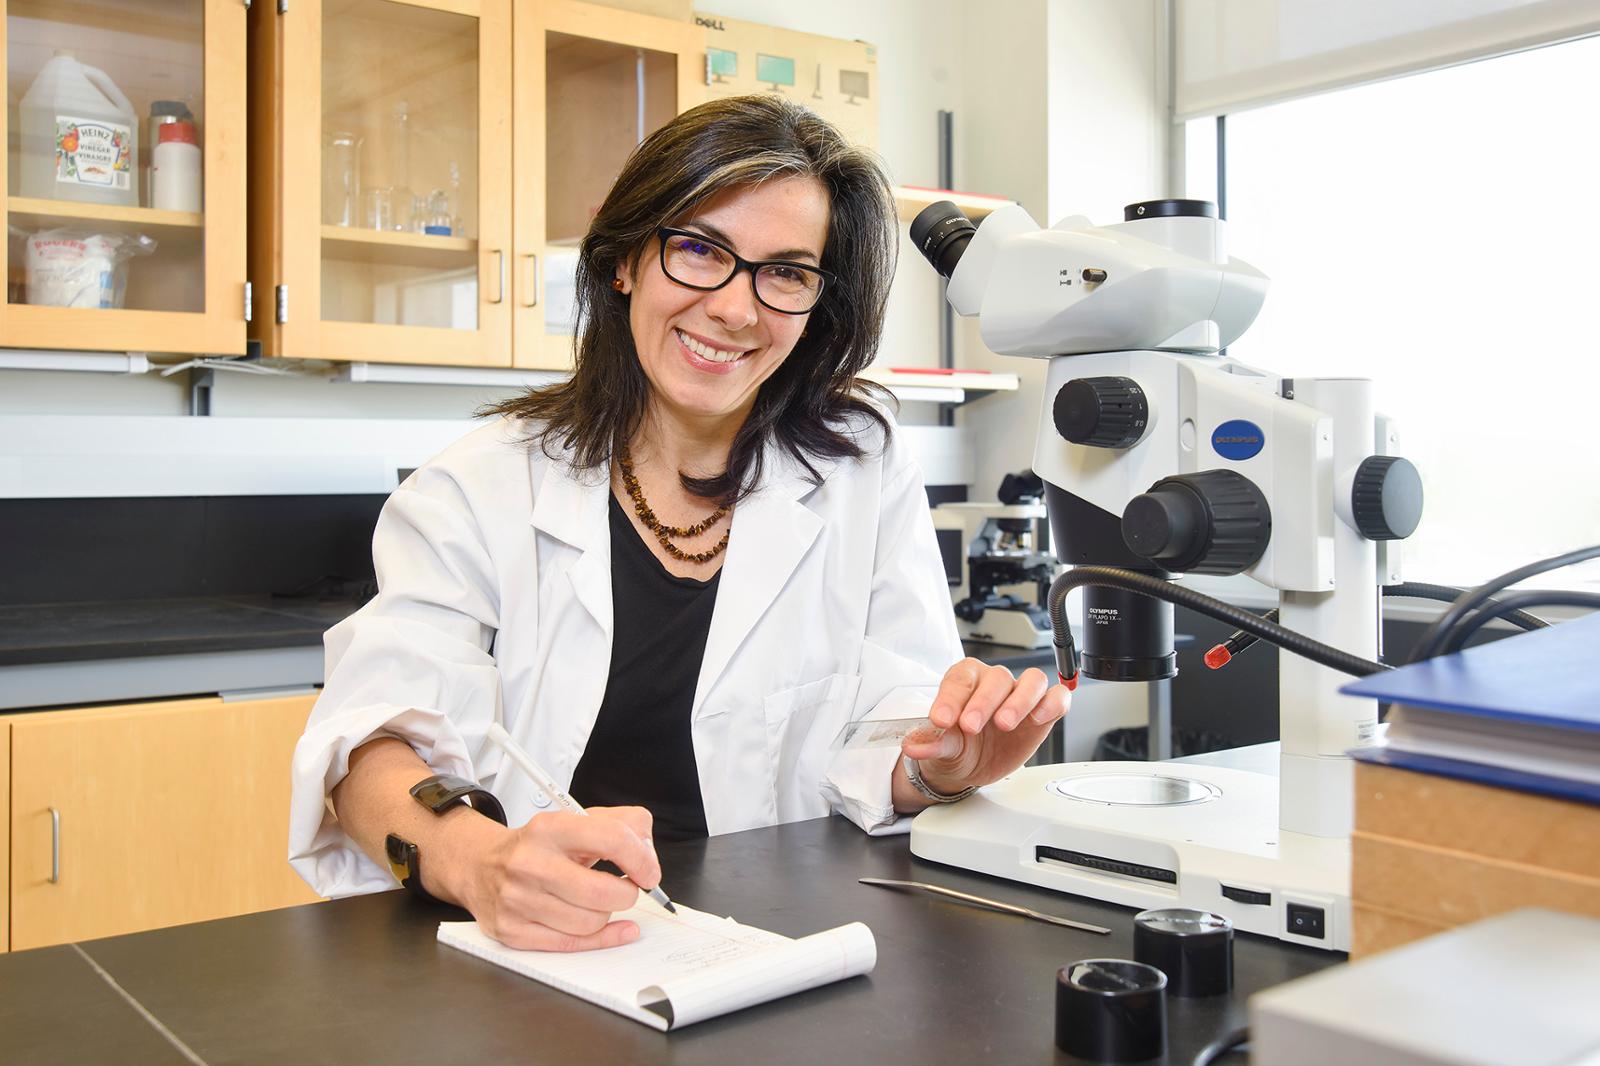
point(814, 404)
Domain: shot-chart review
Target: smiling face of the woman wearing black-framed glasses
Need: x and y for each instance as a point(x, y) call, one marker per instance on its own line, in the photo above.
point(706, 355)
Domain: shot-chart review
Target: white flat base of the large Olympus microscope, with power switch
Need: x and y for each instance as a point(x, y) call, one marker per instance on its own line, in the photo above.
point(1142, 856)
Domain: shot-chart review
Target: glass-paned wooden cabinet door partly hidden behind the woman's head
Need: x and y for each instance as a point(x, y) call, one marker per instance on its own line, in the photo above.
point(591, 84)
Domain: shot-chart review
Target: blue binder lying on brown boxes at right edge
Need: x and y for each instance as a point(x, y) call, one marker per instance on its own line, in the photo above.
point(1548, 678)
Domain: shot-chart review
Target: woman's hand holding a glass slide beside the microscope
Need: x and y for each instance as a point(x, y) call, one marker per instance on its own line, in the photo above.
point(993, 723)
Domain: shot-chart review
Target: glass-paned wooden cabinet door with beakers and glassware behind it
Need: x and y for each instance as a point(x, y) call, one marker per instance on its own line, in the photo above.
point(391, 193)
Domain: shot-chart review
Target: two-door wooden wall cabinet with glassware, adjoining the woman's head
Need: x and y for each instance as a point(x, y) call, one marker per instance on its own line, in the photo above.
point(412, 174)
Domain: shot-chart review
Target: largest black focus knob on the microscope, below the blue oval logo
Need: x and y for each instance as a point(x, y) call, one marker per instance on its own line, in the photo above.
point(1207, 523)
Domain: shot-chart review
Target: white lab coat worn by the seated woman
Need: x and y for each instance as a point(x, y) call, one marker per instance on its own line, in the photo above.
point(495, 575)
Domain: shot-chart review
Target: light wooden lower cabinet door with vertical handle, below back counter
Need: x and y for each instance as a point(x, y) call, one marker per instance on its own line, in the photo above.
point(151, 816)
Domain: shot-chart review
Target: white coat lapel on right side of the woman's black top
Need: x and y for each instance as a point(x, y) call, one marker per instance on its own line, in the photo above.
point(772, 532)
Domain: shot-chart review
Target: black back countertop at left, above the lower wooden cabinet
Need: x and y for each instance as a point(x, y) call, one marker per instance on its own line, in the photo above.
point(114, 630)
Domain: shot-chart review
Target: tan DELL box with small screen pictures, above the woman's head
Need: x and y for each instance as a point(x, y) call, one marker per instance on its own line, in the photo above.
point(834, 78)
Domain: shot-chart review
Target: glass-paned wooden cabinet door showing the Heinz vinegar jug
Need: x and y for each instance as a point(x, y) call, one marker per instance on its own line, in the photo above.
point(100, 252)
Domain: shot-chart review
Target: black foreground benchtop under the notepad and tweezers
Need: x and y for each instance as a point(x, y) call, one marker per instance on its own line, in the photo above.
point(364, 980)
